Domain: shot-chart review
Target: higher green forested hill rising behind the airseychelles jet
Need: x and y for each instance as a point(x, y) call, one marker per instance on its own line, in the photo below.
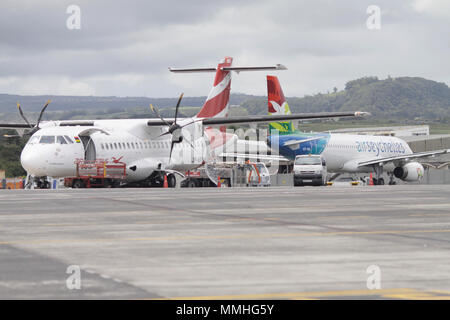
point(401, 98)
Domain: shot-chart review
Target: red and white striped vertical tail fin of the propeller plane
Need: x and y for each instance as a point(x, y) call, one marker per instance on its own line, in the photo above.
point(217, 102)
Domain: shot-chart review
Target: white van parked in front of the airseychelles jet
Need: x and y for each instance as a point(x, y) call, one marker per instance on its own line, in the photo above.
point(310, 170)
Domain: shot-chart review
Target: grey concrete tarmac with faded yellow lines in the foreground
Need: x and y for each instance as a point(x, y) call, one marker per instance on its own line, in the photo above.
point(388, 242)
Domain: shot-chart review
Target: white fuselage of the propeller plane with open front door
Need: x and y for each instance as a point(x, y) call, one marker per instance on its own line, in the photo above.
point(132, 142)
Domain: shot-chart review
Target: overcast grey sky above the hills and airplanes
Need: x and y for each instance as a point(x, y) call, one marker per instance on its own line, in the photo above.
point(125, 47)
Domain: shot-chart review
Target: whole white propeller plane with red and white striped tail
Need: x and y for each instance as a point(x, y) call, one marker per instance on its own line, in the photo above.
point(151, 148)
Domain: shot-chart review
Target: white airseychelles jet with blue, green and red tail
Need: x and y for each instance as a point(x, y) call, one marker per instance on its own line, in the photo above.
point(343, 153)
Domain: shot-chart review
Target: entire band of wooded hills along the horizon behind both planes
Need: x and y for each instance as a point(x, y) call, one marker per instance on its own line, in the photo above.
point(393, 98)
